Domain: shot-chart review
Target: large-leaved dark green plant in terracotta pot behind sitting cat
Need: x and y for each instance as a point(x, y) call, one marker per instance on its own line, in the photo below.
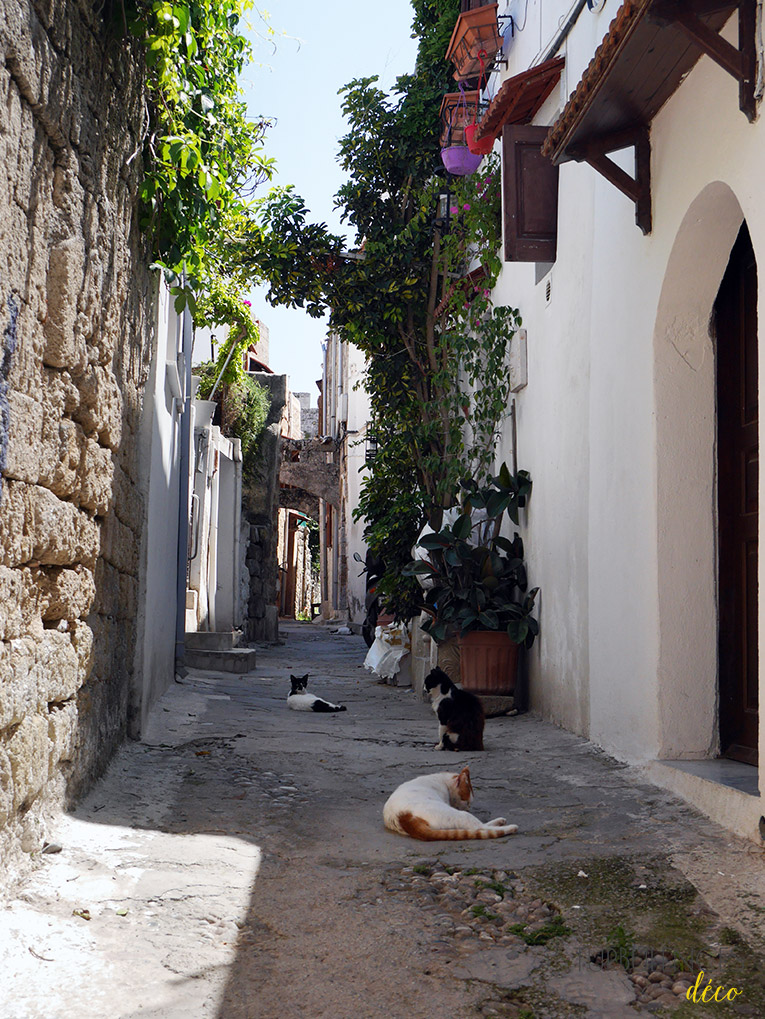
point(477, 586)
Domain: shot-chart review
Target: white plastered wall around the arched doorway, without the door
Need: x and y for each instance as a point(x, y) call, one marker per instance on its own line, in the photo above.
point(617, 425)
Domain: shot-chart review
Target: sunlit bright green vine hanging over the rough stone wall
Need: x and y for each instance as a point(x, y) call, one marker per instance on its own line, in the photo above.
point(203, 156)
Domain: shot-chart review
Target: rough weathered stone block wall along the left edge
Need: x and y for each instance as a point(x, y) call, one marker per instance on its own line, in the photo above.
point(76, 323)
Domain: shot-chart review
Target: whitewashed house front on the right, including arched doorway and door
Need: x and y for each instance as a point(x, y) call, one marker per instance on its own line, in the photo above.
point(649, 572)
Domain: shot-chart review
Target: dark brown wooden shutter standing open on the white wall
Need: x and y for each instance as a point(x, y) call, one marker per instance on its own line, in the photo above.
point(530, 196)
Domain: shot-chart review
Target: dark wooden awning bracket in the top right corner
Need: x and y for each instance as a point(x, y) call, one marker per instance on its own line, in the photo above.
point(741, 63)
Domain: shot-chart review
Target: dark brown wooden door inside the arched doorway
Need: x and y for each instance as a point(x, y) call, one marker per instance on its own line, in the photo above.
point(738, 478)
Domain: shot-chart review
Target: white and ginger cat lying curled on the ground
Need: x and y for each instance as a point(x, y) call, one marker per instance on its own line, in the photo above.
point(433, 808)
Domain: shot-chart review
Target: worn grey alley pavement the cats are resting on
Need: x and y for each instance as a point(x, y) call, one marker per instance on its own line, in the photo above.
point(235, 866)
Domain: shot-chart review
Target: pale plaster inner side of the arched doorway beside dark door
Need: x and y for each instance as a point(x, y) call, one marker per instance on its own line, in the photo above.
point(686, 474)
